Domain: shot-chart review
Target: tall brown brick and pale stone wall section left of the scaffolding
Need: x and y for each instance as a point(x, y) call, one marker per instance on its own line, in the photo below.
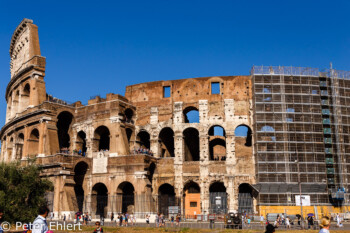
point(229, 109)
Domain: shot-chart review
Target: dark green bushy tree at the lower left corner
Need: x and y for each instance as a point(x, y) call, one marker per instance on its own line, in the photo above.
point(22, 191)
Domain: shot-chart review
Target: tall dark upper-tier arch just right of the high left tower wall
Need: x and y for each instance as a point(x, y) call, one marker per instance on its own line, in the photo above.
point(63, 127)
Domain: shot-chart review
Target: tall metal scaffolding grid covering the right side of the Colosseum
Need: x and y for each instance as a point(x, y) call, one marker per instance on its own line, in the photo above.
point(301, 114)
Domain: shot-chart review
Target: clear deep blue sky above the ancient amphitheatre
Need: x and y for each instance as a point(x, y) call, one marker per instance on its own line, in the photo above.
point(98, 47)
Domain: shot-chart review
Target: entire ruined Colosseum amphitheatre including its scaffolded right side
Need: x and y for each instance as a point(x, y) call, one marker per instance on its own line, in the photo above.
point(192, 146)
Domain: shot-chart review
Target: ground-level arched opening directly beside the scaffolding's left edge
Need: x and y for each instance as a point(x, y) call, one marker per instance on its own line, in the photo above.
point(245, 198)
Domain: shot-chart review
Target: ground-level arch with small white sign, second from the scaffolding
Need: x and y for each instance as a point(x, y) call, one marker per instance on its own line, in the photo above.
point(218, 198)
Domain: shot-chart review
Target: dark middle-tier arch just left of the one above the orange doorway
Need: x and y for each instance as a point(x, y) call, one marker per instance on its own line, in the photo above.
point(166, 142)
